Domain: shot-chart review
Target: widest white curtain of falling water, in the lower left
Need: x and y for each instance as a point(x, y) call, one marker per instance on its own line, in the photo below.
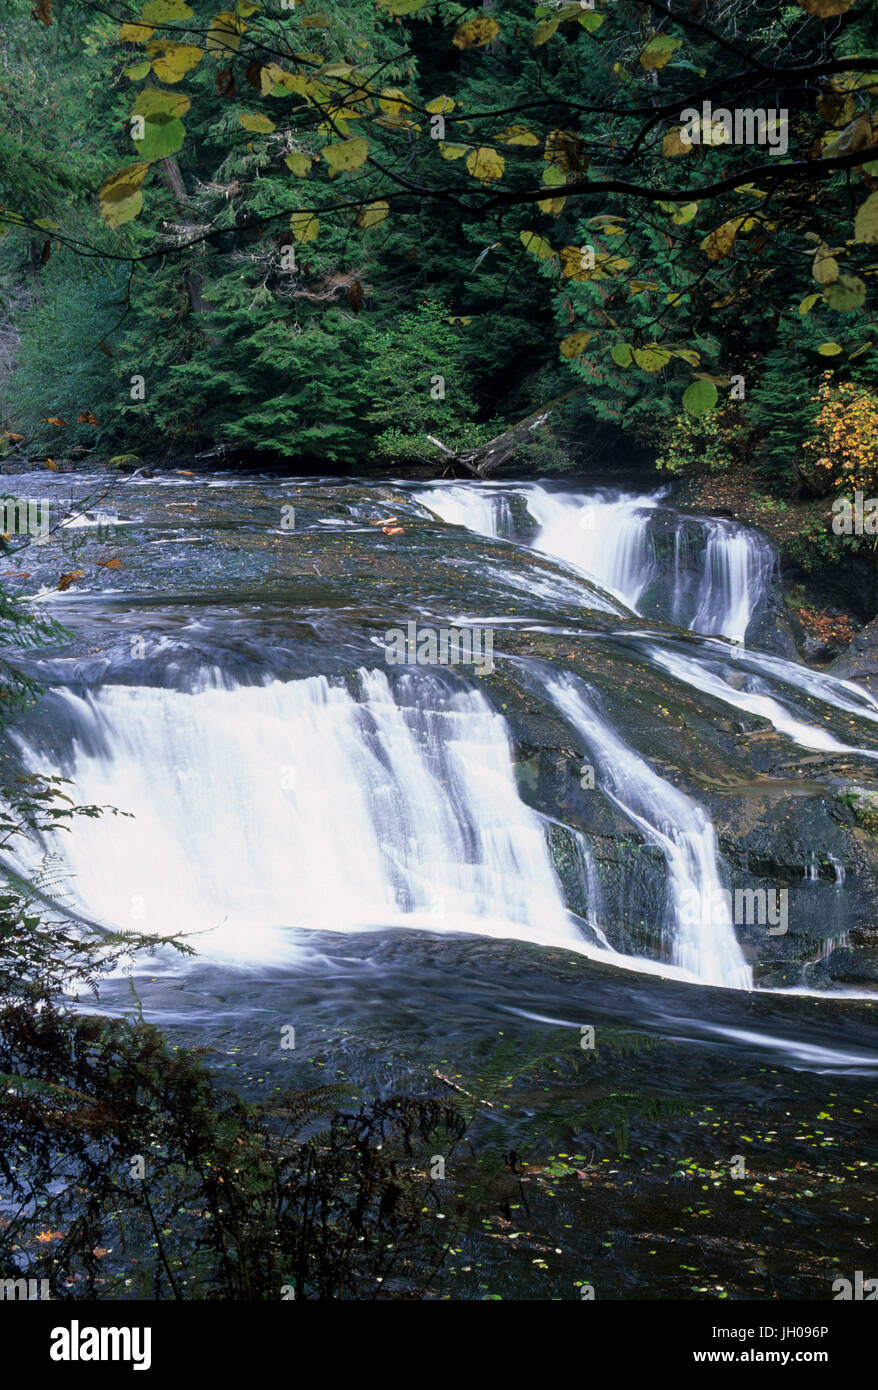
point(263, 810)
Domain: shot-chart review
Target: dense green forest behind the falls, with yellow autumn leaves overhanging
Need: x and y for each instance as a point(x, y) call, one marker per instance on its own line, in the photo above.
point(326, 234)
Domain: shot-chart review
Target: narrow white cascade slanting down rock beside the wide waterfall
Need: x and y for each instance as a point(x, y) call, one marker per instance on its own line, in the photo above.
point(699, 922)
